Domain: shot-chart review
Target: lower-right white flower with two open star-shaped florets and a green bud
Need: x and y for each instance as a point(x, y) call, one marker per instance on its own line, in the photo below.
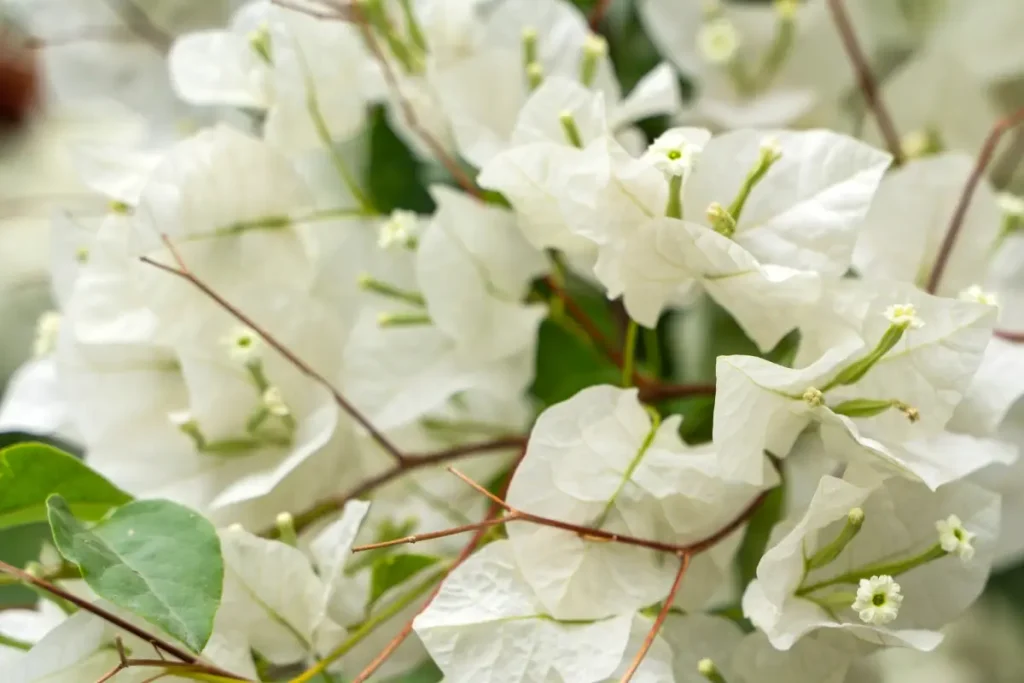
point(789, 601)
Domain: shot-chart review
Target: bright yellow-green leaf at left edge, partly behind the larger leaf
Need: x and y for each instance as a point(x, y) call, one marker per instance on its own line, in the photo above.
point(31, 473)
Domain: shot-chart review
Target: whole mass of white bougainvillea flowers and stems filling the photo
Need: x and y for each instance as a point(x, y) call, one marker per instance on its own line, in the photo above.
point(243, 330)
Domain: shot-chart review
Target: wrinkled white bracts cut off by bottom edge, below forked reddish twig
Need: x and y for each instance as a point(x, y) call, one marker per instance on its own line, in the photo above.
point(488, 618)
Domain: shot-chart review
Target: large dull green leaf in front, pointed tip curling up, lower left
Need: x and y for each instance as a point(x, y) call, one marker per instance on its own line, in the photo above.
point(157, 560)
